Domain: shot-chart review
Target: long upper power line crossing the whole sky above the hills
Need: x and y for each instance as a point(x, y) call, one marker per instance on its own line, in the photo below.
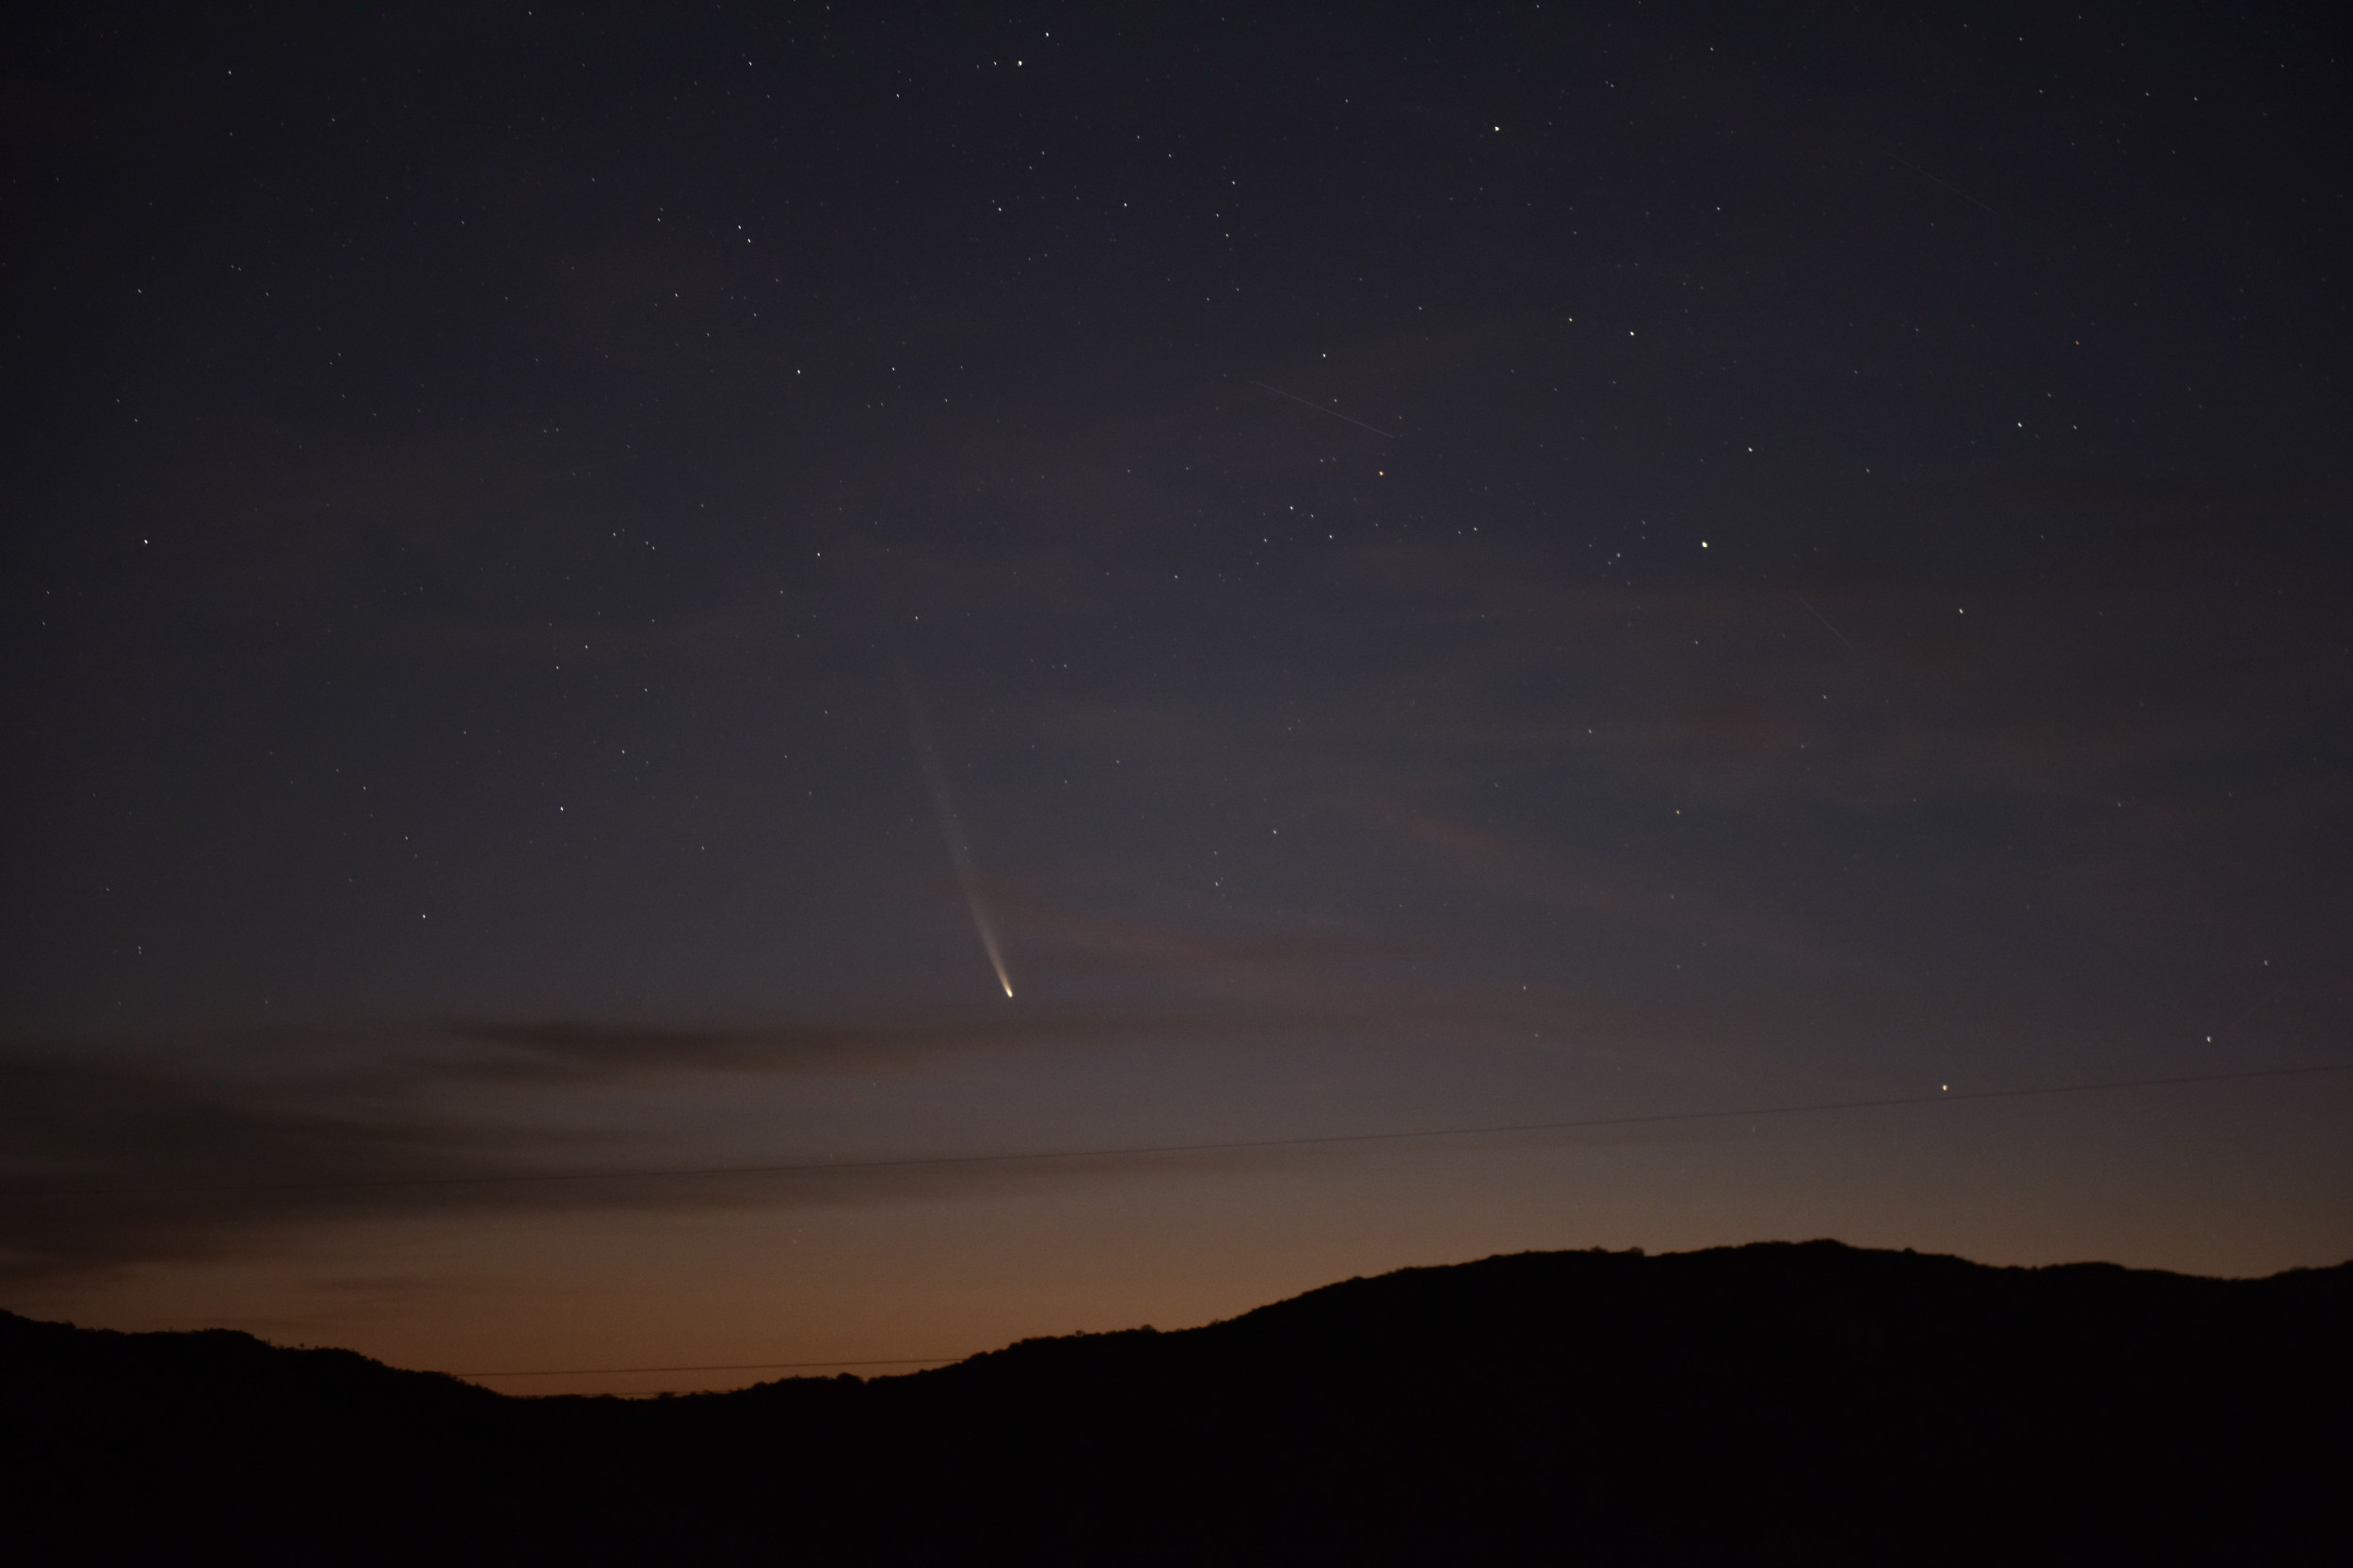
point(1241, 1145)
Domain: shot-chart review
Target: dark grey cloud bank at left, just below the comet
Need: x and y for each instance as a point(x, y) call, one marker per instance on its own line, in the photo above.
point(194, 1148)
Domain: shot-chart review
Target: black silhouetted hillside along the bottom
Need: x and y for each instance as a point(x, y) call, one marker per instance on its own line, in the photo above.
point(1771, 1404)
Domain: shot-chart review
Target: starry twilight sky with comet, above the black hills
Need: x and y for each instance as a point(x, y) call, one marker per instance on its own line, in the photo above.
point(1415, 571)
